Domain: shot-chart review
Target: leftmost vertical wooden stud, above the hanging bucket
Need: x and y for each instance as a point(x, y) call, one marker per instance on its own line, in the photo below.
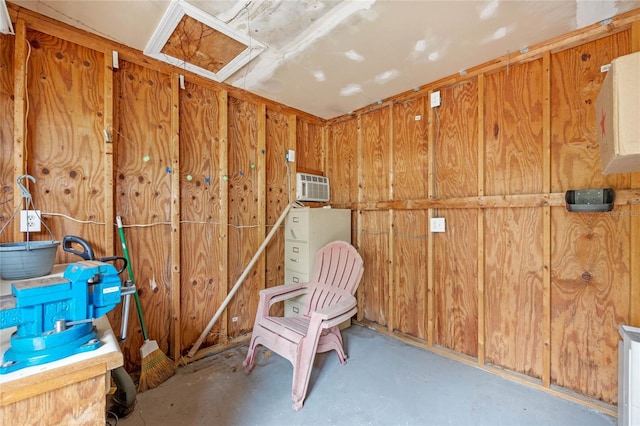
point(19, 116)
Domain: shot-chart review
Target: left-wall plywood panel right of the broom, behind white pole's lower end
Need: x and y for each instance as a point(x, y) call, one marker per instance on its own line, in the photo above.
point(201, 285)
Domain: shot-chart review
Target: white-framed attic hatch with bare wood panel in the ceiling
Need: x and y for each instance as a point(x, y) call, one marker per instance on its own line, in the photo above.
point(195, 41)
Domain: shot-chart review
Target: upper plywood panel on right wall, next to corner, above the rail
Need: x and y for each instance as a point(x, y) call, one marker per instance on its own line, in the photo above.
point(342, 161)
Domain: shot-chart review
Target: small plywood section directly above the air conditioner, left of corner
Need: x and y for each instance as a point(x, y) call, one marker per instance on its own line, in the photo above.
point(310, 146)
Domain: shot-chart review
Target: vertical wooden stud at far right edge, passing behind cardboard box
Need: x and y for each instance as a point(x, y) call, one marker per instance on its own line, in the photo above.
point(634, 234)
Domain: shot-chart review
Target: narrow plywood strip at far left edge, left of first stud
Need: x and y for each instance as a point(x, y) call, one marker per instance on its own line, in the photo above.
point(8, 186)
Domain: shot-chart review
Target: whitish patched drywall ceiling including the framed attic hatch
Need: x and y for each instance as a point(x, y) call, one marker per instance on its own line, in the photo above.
point(328, 57)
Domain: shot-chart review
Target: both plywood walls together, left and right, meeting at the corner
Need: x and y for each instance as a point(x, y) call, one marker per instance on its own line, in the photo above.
point(198, 176)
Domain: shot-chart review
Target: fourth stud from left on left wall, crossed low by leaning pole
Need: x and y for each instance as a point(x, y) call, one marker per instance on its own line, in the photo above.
point(223, 207)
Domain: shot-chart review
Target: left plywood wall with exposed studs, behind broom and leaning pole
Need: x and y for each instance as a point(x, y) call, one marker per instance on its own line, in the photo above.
point(196, 173)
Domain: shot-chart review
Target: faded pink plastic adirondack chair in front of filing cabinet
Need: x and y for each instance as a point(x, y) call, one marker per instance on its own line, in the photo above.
point(330, 301)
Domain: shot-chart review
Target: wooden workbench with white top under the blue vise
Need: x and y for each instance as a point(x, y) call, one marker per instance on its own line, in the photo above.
point(70, 391)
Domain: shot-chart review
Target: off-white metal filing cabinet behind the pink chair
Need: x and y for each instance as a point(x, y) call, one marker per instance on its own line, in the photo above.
point(306, 231)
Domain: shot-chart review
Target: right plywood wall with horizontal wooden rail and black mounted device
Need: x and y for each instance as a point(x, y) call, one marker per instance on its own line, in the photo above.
point(516, 282)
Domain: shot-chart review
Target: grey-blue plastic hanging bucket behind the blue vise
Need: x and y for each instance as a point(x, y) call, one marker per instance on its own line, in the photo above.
point(29, 259)
